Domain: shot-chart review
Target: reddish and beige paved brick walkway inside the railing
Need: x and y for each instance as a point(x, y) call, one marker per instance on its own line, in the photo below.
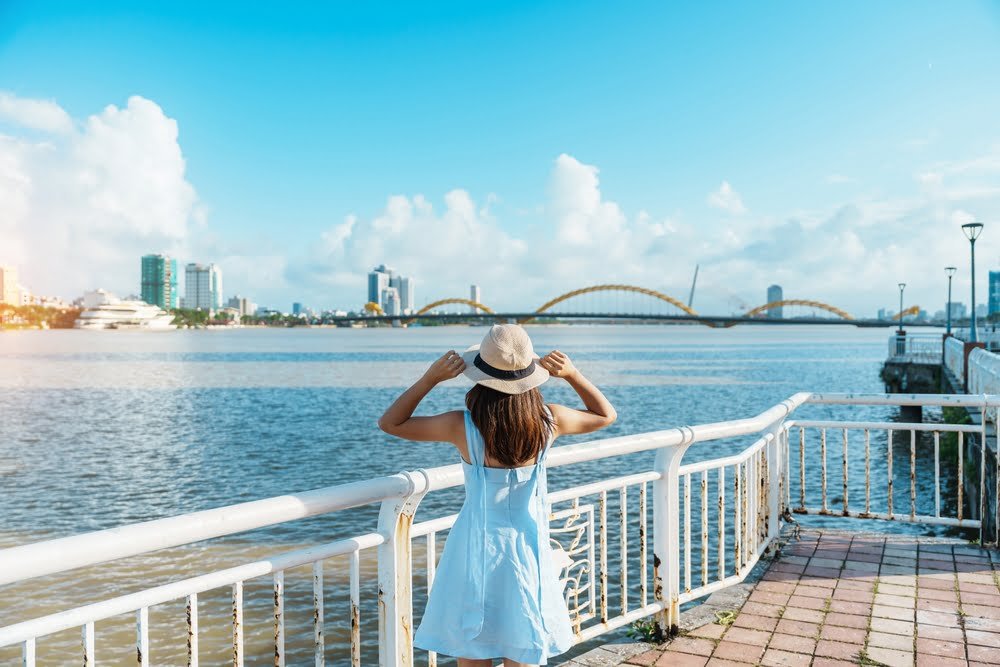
point(832, 599)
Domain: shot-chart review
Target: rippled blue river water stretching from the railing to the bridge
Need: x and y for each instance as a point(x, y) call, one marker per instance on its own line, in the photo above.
point(99, 429)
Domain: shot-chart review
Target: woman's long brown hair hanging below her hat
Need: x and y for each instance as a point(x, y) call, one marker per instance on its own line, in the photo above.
point(515, 427)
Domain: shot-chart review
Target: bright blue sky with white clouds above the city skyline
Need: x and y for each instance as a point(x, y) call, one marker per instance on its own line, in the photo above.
point(845, 142)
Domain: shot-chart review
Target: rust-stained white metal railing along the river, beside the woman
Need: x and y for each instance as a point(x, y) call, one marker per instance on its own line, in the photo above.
point(736, 503)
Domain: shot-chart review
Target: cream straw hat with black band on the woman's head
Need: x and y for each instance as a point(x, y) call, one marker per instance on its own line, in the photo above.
point(505, 361)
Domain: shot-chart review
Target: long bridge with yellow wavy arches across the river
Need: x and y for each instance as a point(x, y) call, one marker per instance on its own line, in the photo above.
point(624, 303)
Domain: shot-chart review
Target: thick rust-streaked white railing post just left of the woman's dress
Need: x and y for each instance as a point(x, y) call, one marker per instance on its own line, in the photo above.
point(395, 574)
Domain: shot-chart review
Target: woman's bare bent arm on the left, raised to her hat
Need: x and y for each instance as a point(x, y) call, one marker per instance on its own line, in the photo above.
point(398, 419)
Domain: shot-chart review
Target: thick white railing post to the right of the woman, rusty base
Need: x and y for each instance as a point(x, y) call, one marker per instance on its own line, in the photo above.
point(666, 532)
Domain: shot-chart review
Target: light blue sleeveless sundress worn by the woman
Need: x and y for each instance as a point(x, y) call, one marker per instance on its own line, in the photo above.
point(497, 592)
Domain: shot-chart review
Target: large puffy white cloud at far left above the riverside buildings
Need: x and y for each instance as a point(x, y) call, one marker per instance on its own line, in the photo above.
point(80, 204)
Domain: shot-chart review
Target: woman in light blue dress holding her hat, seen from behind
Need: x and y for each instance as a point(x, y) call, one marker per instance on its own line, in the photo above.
point(496, 593)
